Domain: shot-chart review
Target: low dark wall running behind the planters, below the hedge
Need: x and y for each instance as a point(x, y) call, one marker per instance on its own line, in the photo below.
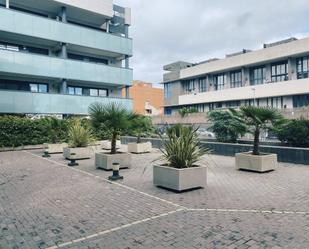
point(285, 154)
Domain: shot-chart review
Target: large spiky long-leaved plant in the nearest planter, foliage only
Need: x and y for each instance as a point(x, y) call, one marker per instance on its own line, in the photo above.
point(181, 149)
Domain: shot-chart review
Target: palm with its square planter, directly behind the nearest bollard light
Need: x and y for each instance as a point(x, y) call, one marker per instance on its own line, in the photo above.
point(115, 119)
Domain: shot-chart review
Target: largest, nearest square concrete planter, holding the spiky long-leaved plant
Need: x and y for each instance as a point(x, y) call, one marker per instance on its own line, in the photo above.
point(179, 179)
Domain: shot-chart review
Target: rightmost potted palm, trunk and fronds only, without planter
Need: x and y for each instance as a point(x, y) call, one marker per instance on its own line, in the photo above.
point(257, 119)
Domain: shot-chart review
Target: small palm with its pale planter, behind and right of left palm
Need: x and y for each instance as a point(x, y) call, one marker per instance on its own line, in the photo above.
point(140, 125)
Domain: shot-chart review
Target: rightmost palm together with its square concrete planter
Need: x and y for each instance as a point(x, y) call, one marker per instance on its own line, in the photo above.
point(257, 119)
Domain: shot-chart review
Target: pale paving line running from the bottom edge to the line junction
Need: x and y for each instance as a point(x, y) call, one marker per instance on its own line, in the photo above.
point(69, 243)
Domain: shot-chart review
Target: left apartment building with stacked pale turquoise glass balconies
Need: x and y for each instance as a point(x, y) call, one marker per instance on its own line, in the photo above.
point(59, 56)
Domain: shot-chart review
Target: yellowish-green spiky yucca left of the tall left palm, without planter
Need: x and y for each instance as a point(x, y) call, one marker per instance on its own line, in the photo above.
point(78, 135)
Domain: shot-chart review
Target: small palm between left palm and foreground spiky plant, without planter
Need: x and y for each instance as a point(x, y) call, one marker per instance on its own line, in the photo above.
point(140, 125)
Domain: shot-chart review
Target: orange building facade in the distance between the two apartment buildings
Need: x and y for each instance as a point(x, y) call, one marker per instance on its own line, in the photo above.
point(147, 100)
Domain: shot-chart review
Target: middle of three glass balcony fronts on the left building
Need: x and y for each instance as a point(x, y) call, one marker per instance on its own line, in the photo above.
point(27, 64)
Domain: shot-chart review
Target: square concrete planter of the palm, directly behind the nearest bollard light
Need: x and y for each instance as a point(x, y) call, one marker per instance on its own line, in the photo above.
point(106, 160)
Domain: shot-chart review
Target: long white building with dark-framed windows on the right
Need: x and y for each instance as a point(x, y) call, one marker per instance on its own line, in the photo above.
point(276, 76)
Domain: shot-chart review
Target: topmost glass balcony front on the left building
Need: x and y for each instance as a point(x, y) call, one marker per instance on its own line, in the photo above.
point(43, 28)
